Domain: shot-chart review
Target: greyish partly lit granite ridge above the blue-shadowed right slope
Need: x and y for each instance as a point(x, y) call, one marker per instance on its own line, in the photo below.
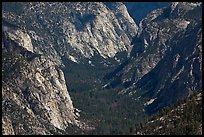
point(155, 33)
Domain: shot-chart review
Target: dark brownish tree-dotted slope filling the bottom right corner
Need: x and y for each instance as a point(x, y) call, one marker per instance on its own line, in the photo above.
point(184, 118)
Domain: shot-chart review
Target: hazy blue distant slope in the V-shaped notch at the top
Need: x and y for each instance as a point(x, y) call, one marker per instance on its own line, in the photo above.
point(139, 10)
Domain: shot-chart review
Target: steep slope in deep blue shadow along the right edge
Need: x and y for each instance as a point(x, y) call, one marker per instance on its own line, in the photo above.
point(179, 73)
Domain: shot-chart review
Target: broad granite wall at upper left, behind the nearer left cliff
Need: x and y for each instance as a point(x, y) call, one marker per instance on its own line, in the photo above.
point(75, 30)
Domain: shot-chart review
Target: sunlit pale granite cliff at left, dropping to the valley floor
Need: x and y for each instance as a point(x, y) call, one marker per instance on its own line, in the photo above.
point(34, 93)
